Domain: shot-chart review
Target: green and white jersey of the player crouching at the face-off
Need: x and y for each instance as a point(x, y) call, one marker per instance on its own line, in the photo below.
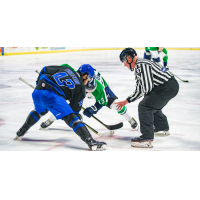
point(99, 94)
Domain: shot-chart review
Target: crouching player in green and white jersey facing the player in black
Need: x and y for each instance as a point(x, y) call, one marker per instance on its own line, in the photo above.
point(98, 89)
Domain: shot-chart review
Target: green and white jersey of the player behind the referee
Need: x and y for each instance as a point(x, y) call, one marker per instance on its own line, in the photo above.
point(155, 54)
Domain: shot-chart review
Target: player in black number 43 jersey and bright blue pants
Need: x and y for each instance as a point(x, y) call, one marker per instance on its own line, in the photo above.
point(54, 86)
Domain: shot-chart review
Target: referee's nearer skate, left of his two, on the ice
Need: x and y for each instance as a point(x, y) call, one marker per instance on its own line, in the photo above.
point(141, 143)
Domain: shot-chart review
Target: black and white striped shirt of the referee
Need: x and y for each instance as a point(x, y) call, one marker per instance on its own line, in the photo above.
point(147, 75)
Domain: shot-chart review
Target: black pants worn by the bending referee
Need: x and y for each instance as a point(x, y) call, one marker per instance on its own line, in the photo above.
point(150, 108)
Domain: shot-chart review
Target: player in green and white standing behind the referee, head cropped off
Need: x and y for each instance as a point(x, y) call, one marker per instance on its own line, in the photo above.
point(159, 55)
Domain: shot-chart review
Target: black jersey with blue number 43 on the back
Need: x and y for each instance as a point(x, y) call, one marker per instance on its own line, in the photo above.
point(65, 82)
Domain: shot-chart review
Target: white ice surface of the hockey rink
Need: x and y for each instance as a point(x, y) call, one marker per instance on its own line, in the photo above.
point(16, 103)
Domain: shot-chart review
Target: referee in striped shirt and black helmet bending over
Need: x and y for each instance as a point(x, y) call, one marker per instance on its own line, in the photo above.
point(157, 87)
